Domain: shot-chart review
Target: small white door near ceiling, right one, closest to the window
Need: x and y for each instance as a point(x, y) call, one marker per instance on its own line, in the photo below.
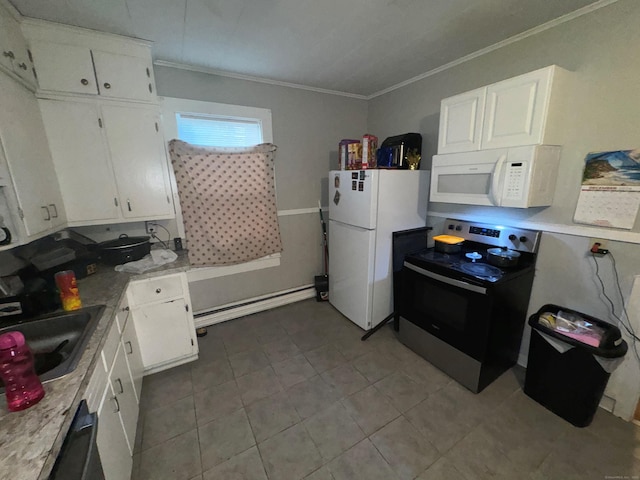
point(124, 76)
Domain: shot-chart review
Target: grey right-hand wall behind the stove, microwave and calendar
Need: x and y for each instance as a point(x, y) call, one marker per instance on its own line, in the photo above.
point(601, 48)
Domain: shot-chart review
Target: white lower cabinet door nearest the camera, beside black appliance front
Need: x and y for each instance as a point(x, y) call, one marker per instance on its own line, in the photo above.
point(115, 457)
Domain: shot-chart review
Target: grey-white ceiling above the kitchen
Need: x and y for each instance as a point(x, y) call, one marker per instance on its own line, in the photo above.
point(360, 47)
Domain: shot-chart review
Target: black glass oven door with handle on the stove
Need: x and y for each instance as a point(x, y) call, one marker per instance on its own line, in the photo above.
point(455, 311)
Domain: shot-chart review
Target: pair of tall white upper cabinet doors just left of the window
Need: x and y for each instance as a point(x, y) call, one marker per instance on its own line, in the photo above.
point(110, 160)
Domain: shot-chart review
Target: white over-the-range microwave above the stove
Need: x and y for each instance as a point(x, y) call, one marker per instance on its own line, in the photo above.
point(518, 177)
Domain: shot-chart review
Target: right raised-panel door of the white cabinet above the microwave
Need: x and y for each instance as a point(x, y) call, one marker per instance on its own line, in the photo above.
point(516, 110)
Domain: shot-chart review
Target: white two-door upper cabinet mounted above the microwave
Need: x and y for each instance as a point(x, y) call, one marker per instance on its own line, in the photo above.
point(524, 110)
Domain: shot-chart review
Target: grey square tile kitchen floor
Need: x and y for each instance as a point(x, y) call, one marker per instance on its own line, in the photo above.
point(293, 393)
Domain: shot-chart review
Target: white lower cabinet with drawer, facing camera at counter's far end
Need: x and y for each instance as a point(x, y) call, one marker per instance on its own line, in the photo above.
point(163, 320)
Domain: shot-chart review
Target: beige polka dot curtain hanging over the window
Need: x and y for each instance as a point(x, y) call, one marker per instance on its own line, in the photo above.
point(228, 202)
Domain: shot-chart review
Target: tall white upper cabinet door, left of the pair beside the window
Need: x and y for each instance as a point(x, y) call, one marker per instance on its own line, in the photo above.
point(80, 159)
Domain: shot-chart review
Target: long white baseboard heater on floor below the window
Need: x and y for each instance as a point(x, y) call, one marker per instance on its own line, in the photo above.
point(254, 305)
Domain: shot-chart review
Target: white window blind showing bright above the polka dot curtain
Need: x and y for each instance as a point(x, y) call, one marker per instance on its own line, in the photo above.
point(218, 131)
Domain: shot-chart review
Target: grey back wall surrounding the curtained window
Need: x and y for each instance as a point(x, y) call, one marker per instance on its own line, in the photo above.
point(307, 127)
